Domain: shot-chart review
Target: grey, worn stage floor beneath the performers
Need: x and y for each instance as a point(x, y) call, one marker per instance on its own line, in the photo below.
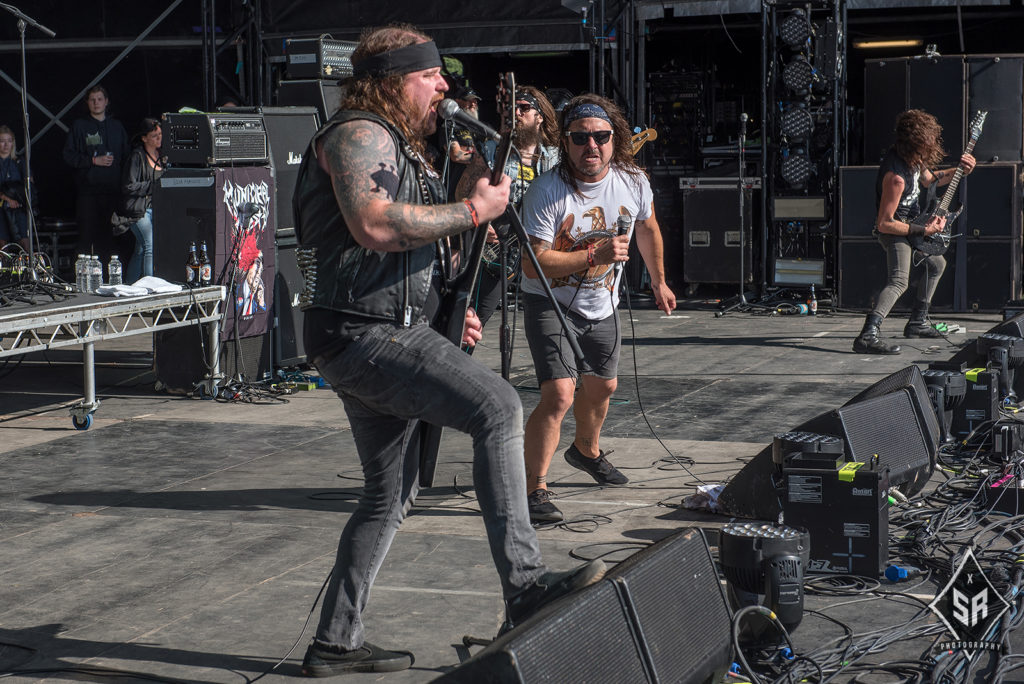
point(187, 540)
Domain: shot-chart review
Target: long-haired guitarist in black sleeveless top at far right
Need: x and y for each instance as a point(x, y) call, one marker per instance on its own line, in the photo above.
point(903, 175)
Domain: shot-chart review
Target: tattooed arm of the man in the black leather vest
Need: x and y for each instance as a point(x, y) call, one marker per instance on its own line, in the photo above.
point(362, 158)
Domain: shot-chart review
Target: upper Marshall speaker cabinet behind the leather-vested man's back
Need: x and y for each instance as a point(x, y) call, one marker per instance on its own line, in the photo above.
point(289, 131)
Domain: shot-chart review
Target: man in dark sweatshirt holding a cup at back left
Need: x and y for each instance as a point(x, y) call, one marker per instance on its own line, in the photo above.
point(98, 149)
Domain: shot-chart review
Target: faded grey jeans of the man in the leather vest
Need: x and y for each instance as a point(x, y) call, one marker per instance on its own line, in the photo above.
point(388, 378)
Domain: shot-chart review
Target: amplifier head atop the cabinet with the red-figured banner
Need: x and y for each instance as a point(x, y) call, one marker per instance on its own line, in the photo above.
point(215, 139)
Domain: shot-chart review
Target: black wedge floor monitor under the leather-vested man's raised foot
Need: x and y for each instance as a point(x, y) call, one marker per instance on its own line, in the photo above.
point(631, 627)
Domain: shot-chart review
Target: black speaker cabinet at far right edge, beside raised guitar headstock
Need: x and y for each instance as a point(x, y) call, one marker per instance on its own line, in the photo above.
point(997, 87)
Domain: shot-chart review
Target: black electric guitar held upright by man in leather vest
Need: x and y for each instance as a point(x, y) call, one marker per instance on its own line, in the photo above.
point(461, 268)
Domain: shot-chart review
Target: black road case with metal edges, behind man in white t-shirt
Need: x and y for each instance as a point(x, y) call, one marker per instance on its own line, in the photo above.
point(712, 231)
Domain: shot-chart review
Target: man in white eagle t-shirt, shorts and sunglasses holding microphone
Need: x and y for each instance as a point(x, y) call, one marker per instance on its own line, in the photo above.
point(571, 215)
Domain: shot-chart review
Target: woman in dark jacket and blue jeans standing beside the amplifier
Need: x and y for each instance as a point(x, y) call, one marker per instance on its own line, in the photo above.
point(141, 175)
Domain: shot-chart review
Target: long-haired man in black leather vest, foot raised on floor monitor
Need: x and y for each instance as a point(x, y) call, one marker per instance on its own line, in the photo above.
point(370, 211)
